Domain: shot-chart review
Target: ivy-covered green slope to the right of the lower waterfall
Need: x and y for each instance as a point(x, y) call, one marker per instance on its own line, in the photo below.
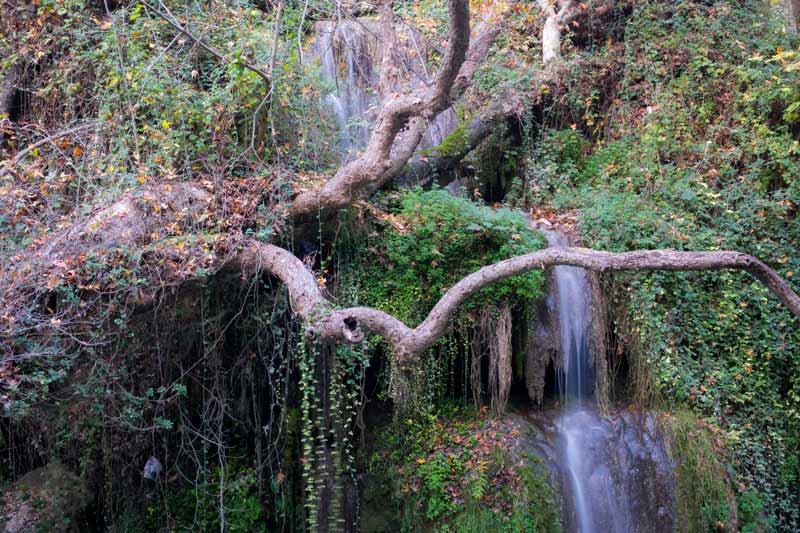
point(700, 151)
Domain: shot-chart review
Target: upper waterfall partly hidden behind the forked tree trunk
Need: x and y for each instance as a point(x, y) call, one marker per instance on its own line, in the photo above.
point(350, 53)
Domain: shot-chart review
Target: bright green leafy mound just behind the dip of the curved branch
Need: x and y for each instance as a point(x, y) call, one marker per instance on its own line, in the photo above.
point(445, 238)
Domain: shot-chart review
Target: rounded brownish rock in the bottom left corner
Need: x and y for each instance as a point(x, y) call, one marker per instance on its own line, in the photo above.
point(50, 498)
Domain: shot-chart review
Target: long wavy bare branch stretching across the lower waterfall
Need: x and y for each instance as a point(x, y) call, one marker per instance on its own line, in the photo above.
point(407, 343)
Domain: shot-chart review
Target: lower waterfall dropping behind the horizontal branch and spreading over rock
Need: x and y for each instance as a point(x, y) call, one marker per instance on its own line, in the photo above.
point(616, 474)
